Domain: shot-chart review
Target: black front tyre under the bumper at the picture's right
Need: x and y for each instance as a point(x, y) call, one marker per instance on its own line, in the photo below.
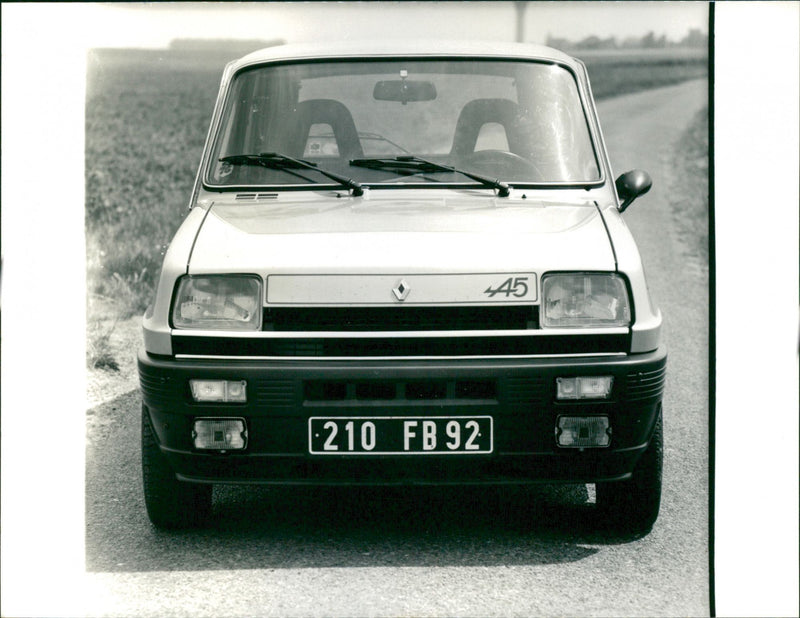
point(632, 506)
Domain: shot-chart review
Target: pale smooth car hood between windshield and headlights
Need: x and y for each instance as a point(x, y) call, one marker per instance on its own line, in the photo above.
point(396, 232)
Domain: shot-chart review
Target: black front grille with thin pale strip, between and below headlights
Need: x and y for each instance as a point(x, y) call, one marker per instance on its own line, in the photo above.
point(457, 331)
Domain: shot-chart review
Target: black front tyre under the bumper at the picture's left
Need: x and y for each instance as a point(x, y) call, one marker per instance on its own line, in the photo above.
point(170, 503)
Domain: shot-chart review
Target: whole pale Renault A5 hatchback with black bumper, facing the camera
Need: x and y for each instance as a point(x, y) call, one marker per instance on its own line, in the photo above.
point(404, 264)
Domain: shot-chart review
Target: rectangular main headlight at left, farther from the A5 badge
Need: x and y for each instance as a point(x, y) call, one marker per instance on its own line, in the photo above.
point(226, 302)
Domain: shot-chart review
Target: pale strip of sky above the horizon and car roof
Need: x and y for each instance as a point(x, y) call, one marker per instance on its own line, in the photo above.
point(154, 25)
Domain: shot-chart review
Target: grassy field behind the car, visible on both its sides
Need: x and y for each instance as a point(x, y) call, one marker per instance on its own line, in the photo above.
point(147, 115)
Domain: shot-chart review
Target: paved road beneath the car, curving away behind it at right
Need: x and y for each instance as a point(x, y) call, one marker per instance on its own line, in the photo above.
point(386, 552)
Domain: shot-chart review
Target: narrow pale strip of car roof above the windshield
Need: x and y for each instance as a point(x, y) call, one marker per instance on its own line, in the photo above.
point(371, 49)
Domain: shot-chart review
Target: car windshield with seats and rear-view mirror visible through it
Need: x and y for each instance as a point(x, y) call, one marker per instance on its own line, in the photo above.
point(519, 122)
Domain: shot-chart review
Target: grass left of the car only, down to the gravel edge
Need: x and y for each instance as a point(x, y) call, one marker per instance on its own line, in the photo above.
point(146, 121)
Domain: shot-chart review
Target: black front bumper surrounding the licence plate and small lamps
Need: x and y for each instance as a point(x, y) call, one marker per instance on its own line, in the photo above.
point(519, 395)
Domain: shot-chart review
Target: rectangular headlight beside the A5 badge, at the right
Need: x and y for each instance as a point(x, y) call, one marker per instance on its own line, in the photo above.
point(584, 300)
